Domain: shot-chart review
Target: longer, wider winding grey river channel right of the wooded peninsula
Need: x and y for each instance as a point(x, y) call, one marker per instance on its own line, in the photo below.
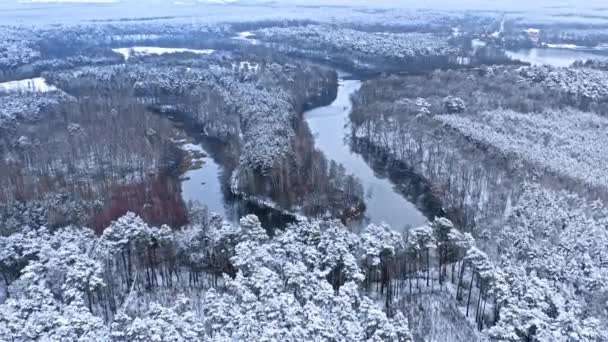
point(384, 204)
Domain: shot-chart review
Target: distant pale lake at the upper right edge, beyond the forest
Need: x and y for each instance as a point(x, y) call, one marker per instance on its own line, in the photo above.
point(552, 56)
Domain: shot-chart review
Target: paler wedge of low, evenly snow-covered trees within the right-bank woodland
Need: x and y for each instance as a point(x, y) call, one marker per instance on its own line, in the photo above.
point(570, 143)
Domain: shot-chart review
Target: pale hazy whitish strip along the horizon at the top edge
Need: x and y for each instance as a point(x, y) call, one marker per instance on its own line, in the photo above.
point(43, 11)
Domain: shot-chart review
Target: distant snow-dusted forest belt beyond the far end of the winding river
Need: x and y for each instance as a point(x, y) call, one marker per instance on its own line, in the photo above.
point(361, 50)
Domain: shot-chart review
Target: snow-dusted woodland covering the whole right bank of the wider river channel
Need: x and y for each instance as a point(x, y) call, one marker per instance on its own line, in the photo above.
point(540, 185)
